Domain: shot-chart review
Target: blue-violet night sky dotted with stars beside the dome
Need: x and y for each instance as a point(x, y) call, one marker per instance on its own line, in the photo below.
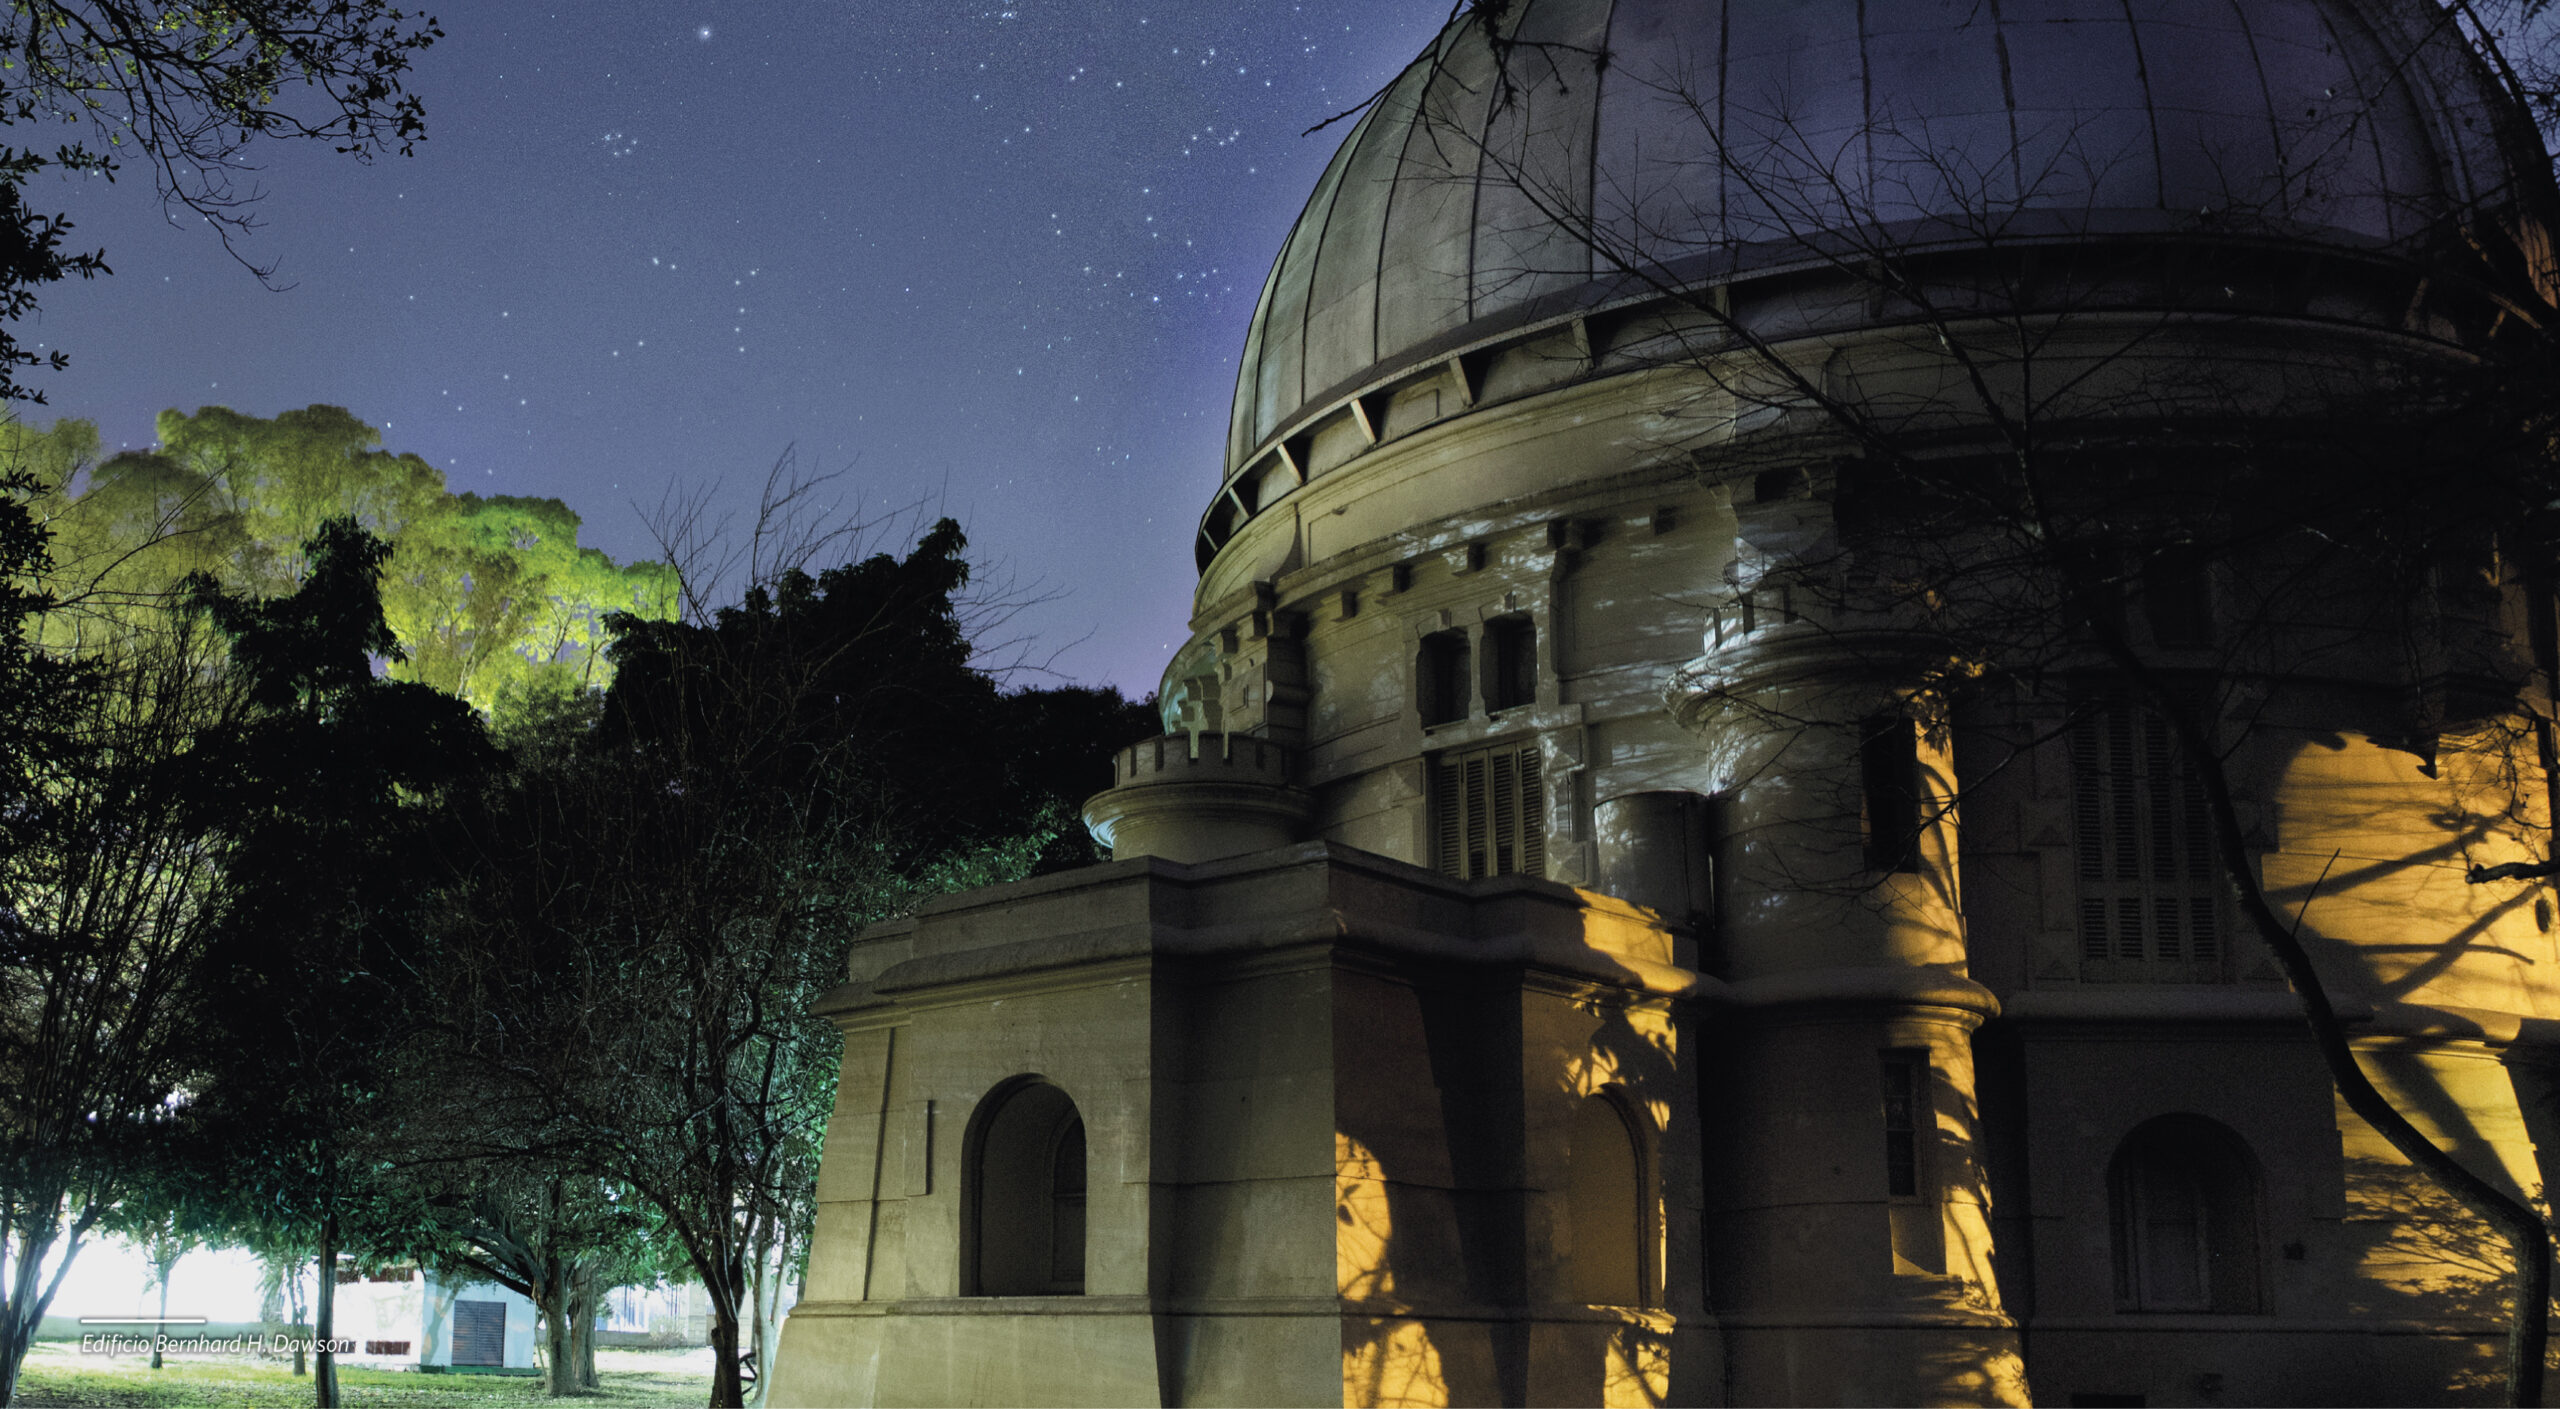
point(992, 263)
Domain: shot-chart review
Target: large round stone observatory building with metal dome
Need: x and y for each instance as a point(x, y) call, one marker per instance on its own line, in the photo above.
point(1596, 934)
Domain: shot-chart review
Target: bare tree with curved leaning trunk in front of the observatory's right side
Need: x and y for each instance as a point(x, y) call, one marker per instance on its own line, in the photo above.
point(1996, 450)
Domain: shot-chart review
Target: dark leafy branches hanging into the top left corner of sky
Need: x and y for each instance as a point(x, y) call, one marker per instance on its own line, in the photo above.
point(186, 91)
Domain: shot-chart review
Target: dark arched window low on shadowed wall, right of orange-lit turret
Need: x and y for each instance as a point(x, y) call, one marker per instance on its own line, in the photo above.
point(2185, 1195)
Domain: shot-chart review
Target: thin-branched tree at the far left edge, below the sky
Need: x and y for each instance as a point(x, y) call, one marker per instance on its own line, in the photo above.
point(109, 888)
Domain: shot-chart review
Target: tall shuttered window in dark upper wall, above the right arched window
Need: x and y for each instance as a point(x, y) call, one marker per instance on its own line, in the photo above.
point(2149, 903)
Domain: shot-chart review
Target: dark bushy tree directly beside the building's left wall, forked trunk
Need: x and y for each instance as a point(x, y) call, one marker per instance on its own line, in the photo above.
point(646, 908)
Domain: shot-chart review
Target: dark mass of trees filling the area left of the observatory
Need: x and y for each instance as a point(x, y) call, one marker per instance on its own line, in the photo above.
point(301, 952)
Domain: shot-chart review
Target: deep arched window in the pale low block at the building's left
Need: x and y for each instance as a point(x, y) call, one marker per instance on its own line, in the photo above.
point(1025, 1195)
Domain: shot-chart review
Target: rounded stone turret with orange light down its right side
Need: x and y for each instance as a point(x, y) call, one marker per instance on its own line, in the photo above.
point(1850, 1236)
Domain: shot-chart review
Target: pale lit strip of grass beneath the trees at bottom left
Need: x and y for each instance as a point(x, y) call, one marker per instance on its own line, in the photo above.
point(60, 1374)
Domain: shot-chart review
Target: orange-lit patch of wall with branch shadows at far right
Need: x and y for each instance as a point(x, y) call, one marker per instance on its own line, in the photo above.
point(2408, 926)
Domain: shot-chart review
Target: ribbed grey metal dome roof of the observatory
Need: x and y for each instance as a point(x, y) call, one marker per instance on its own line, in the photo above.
point(1714, 137)
